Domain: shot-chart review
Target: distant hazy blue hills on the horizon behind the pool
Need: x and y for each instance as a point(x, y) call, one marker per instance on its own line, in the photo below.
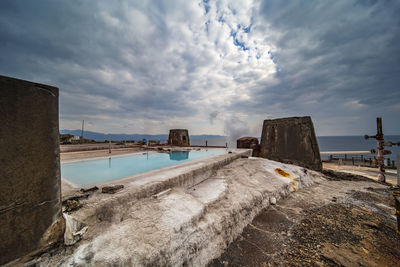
point(121, 137)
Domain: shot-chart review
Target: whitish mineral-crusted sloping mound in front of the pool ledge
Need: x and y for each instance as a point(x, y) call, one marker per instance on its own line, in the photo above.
point(185, 225)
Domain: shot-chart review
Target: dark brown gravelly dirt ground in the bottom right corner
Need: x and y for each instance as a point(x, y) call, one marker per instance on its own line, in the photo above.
point(347, 221)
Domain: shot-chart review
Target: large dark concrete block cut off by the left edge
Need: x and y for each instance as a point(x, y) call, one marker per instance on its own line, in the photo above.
point(30, 191)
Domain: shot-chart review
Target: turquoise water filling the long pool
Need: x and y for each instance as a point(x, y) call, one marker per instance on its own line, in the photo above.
point(90, 172)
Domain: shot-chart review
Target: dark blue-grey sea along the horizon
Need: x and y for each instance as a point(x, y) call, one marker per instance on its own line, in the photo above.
point(325, 143)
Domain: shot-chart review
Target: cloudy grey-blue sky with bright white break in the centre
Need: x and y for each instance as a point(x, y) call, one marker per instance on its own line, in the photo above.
point(148, 66)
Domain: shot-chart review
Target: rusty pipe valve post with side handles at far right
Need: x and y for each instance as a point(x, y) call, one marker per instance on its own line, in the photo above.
point(381, 152)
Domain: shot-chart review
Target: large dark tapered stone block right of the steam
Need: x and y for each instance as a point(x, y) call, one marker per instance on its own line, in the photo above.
point(291, 140)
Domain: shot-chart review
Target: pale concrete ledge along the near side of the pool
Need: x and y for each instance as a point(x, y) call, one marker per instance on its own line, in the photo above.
point(103, 207)
